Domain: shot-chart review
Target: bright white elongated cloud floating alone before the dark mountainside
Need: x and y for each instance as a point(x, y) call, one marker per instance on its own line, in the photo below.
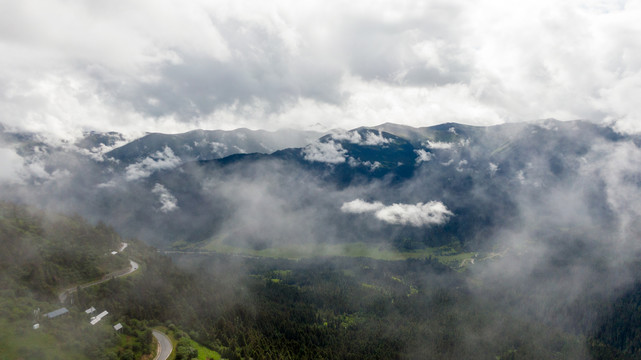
point(420, 214)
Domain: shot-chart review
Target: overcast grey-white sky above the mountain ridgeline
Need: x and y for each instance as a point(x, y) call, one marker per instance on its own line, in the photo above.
point(69, 66)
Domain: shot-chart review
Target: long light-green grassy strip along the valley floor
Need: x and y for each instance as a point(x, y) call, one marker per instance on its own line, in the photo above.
point(444, 254)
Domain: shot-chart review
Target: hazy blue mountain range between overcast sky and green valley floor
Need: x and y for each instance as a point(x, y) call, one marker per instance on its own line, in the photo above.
point(449, 183)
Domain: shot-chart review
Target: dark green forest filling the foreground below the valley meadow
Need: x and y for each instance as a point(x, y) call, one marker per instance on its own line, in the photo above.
point(260, 308)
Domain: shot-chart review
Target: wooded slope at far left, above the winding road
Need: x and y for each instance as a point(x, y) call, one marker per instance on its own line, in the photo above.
point(43, 253)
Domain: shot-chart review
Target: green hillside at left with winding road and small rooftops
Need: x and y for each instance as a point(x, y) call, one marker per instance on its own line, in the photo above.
point(42, 254)
